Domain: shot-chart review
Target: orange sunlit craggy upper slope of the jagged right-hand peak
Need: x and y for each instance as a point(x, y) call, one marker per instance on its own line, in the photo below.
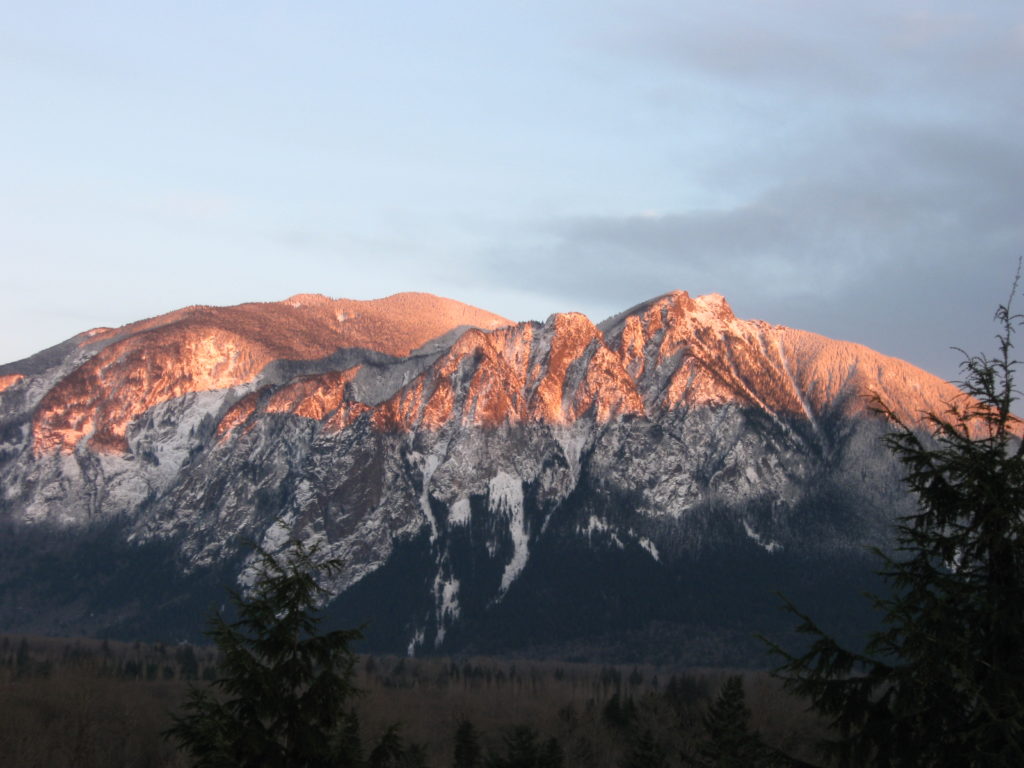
point(671, 354)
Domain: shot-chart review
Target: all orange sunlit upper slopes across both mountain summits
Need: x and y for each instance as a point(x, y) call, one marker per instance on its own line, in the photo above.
point(670, 354)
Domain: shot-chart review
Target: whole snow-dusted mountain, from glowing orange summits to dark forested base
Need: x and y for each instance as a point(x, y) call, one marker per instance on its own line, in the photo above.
point(633, 489)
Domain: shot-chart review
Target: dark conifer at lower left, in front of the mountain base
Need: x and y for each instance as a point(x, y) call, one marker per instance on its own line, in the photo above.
point(285, 691)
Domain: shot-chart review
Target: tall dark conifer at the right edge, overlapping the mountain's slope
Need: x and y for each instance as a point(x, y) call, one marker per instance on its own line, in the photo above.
point(942, 685)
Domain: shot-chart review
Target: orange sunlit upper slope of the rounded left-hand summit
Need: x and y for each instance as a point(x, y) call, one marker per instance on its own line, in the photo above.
point(202, 349)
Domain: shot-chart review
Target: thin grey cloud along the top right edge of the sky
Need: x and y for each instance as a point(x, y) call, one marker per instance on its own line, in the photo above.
point(832, 49)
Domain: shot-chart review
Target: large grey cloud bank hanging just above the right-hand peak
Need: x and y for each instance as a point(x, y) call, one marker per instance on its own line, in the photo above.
point(908, 235)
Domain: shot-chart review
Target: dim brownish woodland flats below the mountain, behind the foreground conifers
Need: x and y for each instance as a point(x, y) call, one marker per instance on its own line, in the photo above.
point(91, 703)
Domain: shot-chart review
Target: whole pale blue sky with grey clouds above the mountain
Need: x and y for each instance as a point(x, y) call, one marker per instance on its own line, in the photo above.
point(852, 169)
